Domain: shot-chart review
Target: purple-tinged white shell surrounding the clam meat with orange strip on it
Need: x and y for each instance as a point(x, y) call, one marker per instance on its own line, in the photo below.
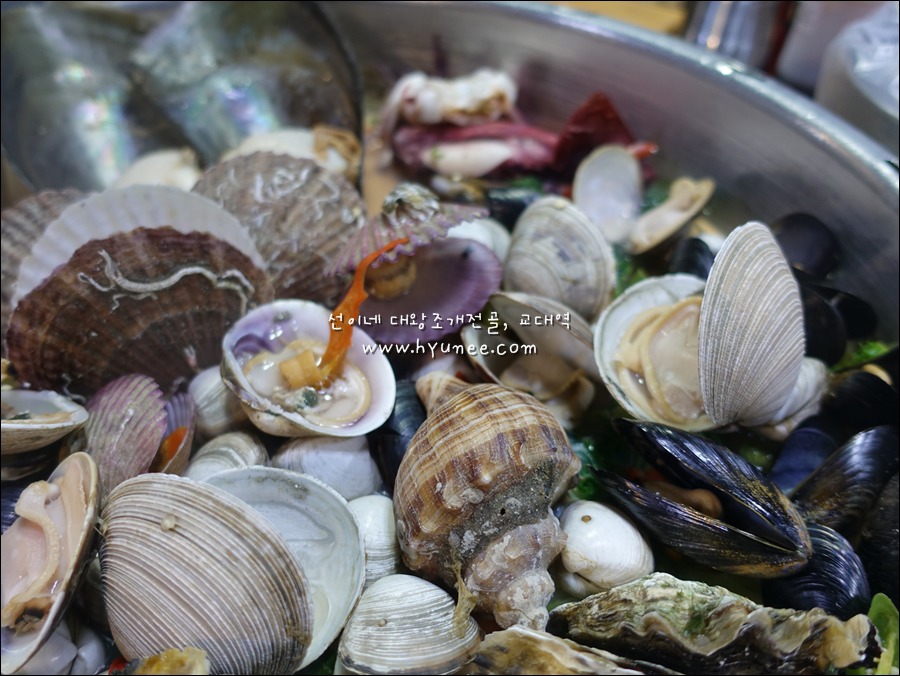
point(282, 321)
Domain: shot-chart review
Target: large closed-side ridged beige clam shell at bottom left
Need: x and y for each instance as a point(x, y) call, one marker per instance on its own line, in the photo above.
point(186, 564)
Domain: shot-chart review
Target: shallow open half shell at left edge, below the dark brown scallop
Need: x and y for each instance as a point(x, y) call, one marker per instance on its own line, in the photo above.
point(51, 417)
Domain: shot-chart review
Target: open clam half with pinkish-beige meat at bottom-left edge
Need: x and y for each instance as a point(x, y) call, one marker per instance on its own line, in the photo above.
point(58, 520)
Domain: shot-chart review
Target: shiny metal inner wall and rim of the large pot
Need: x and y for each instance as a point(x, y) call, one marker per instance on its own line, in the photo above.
point(773, 149)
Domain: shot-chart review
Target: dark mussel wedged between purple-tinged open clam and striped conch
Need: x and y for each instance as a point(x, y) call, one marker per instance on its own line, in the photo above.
point(388, 443)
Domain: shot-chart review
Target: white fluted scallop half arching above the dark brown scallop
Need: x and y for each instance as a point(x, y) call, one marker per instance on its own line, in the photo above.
point(121, 210)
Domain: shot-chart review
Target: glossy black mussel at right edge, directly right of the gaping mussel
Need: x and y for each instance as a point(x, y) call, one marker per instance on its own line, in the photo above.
point(842, 492)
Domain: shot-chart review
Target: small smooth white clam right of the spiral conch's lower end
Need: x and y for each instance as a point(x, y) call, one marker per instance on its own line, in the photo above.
point(603, 549)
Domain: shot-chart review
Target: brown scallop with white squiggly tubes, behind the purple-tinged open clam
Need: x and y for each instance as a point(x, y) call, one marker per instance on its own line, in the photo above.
point(298, 214)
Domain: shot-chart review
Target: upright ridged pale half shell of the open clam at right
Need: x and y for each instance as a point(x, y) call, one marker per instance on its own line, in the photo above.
point(751, 335)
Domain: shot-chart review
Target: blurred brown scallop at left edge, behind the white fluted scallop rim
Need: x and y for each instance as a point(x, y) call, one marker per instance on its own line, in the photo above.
point(21, 225)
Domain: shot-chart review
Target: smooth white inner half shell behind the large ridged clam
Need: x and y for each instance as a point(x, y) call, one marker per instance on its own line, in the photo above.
point(321, 534)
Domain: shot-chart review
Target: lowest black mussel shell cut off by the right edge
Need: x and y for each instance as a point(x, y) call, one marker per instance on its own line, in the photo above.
point(879, 543)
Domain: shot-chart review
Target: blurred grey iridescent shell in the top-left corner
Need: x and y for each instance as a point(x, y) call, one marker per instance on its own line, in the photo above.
point(71, 115)
